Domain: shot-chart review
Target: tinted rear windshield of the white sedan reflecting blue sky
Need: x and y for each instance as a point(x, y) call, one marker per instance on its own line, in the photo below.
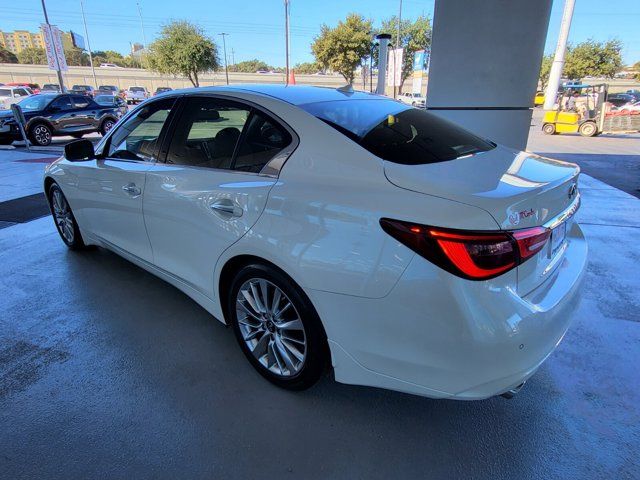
point(398, 133)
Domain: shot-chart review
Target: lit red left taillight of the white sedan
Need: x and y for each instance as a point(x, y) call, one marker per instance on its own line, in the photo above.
point(469, 254)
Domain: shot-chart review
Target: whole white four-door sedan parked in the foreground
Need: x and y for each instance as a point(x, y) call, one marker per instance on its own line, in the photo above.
point(336, 229)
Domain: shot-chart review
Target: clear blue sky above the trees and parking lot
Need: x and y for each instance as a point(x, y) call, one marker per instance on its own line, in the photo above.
point(256, 27)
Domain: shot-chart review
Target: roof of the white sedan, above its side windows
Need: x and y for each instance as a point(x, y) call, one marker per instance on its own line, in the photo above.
point(293, 94)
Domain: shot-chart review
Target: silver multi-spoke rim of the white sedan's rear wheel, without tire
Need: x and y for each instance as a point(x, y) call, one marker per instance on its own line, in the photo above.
point(271, 327)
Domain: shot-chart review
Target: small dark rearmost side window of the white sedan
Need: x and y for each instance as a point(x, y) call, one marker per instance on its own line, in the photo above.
point(262, 140)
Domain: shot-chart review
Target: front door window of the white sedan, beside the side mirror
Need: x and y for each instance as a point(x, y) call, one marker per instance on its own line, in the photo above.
point(138, 138)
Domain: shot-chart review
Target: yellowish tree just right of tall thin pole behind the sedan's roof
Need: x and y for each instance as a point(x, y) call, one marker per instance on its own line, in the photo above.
point(343, 48)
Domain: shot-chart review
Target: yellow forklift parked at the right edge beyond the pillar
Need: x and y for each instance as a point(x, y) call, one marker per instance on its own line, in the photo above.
point(586, 114)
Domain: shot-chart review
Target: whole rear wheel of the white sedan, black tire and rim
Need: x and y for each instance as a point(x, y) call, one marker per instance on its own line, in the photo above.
point(285, 342)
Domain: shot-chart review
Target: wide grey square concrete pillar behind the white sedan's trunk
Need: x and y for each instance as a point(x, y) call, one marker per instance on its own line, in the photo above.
point(485, 61)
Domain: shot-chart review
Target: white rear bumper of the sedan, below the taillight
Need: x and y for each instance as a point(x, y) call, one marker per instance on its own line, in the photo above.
point(440, 336)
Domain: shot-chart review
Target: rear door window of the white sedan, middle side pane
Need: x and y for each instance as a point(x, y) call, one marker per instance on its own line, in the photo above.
point(207, 133)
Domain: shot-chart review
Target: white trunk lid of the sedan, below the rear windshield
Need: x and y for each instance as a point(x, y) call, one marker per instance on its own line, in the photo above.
point(519, 189)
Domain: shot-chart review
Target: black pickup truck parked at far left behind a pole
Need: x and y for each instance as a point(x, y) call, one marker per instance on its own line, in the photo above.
point(50, 115)
